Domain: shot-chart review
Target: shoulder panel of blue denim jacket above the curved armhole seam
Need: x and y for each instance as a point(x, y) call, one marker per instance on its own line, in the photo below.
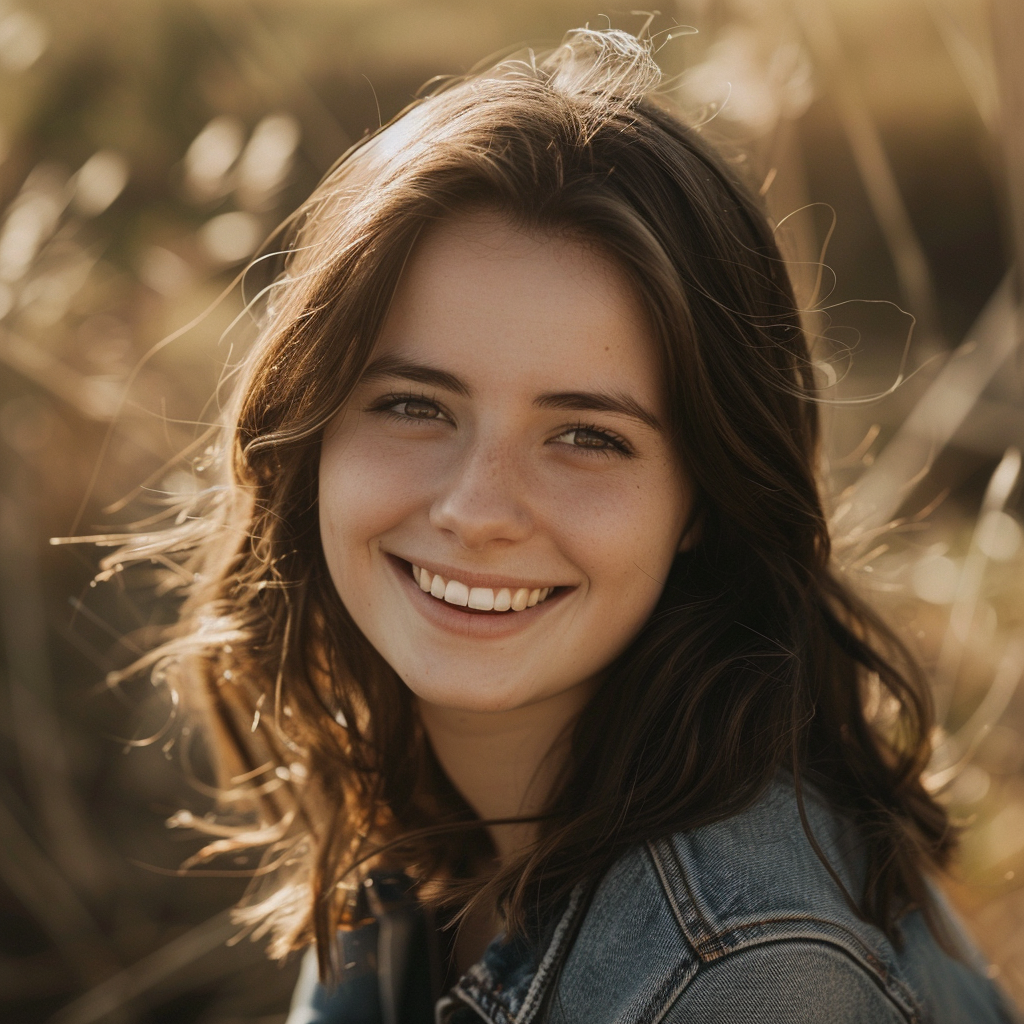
point(669, 910)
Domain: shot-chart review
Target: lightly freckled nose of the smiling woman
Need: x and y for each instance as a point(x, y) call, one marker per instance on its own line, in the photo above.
point(485, 499)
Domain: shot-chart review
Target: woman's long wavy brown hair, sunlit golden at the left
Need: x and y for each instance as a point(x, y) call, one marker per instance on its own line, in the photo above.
point(757, 658)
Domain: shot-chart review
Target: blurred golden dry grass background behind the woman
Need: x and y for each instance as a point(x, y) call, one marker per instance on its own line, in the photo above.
point(147, 149)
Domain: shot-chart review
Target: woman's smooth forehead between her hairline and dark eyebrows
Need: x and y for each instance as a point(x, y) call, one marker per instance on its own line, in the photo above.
point(523, 309)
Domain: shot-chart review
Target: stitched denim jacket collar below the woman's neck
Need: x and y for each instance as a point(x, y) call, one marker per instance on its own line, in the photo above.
point(509, 985)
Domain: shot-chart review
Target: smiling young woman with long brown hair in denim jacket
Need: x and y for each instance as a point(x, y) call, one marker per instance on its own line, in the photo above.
point(514, 620)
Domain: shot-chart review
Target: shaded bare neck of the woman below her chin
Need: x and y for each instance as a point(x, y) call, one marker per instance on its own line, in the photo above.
point(505, 762)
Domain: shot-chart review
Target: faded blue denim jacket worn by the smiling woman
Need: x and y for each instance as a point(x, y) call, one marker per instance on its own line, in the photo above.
point(739, 922)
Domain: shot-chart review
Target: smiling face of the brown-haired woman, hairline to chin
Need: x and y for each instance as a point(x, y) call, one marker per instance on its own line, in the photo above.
point(505, 448)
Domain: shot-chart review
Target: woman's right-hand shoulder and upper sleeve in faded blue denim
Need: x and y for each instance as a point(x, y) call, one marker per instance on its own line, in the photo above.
point(744, 909)
